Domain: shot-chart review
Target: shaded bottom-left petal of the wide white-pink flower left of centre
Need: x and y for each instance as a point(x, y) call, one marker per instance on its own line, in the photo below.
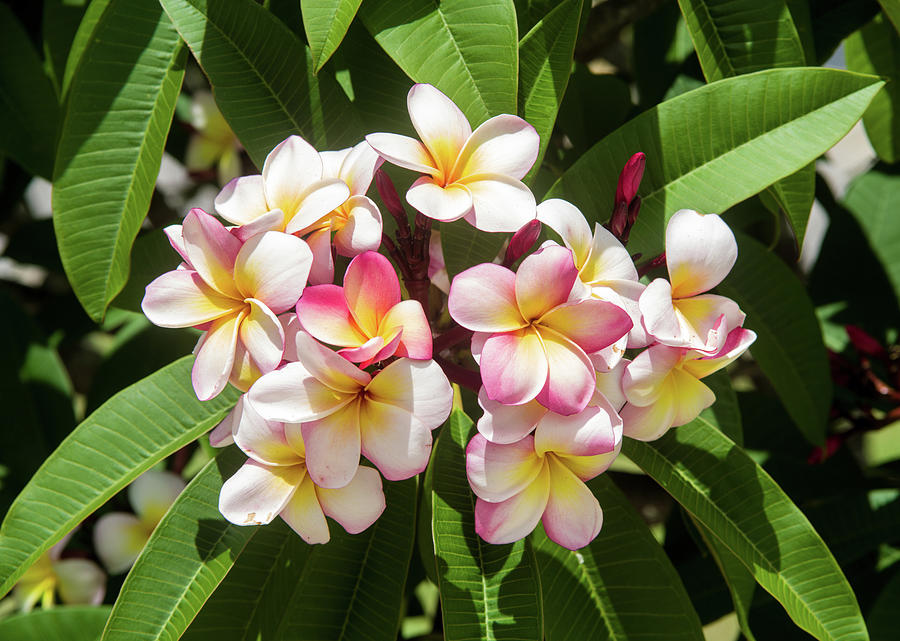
point(333, 447)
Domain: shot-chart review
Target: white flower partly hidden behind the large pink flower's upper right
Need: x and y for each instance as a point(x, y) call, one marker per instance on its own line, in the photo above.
point(603, 262)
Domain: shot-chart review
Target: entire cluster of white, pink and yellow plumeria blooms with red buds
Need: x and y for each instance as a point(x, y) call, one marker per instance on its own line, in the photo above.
point(336, 372)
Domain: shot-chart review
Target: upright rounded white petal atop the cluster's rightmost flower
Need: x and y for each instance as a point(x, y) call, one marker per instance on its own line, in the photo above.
point(700, 251)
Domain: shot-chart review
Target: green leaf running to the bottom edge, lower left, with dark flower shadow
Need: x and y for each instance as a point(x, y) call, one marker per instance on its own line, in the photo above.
point(188, 554)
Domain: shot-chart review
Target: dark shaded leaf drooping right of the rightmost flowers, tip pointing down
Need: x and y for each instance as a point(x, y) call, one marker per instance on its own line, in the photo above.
point(789, 347)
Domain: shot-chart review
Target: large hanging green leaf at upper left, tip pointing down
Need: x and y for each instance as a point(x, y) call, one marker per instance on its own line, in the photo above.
point(120, 106)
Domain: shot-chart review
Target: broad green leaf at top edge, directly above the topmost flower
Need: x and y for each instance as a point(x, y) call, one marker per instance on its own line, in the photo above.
point(467, 48)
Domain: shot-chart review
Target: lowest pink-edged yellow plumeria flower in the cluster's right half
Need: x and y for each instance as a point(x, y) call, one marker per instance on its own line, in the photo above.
point(541, 478)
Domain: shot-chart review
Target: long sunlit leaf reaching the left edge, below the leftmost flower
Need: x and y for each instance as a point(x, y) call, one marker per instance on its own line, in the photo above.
point(130, 433)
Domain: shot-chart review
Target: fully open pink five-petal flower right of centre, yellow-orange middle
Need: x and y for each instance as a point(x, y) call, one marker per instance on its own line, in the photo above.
point(531, 339)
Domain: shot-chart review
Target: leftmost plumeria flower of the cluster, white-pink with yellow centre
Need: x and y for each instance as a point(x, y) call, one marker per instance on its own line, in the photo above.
point(233, 290)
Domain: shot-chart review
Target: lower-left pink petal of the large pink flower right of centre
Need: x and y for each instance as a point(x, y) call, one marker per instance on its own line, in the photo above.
point(513, 366)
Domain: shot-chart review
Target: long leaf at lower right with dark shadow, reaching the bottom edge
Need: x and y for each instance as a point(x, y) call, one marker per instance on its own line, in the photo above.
point(729, 494)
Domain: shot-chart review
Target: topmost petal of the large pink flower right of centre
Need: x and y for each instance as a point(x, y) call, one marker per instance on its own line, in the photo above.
point(544, 281)
